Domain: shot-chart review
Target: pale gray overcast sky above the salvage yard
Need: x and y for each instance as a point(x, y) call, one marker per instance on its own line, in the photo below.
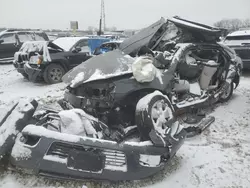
point(124, 14)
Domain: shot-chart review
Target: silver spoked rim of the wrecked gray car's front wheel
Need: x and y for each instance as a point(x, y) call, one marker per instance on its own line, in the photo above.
point(161, 113)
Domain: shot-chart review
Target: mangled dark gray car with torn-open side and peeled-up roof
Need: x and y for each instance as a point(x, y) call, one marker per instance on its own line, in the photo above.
point(179, 58)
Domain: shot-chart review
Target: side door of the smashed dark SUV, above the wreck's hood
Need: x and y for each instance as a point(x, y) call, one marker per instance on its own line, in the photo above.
point(79, 53)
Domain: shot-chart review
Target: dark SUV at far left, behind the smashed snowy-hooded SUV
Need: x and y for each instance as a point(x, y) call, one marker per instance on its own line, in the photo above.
point(11, 40)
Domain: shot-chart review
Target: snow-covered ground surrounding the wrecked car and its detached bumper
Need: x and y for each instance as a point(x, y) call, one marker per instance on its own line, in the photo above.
point(220, 158)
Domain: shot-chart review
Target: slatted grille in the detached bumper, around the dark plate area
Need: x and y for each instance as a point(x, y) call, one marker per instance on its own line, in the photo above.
point(114, 160)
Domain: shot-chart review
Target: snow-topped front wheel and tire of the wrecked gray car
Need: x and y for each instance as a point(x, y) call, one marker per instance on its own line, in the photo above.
point(155, 113)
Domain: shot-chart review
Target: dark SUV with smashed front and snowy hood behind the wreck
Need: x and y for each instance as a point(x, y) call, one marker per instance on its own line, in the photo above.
point(49, 61)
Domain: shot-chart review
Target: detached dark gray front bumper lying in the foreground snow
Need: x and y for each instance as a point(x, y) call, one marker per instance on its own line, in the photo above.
point(59, 155)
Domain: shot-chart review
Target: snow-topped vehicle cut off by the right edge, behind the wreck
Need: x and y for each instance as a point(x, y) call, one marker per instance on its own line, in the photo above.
point(240, 42)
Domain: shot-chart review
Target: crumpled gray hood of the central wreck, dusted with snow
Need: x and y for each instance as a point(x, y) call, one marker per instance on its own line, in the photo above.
point(107, 65)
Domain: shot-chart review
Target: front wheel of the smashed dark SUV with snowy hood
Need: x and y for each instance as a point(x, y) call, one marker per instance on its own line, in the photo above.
point(53, 73)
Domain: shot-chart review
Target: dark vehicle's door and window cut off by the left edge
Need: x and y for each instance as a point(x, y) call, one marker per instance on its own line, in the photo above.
point(8, 46)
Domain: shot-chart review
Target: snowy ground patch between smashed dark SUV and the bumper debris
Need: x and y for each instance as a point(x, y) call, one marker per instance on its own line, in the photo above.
point(13, 87)
